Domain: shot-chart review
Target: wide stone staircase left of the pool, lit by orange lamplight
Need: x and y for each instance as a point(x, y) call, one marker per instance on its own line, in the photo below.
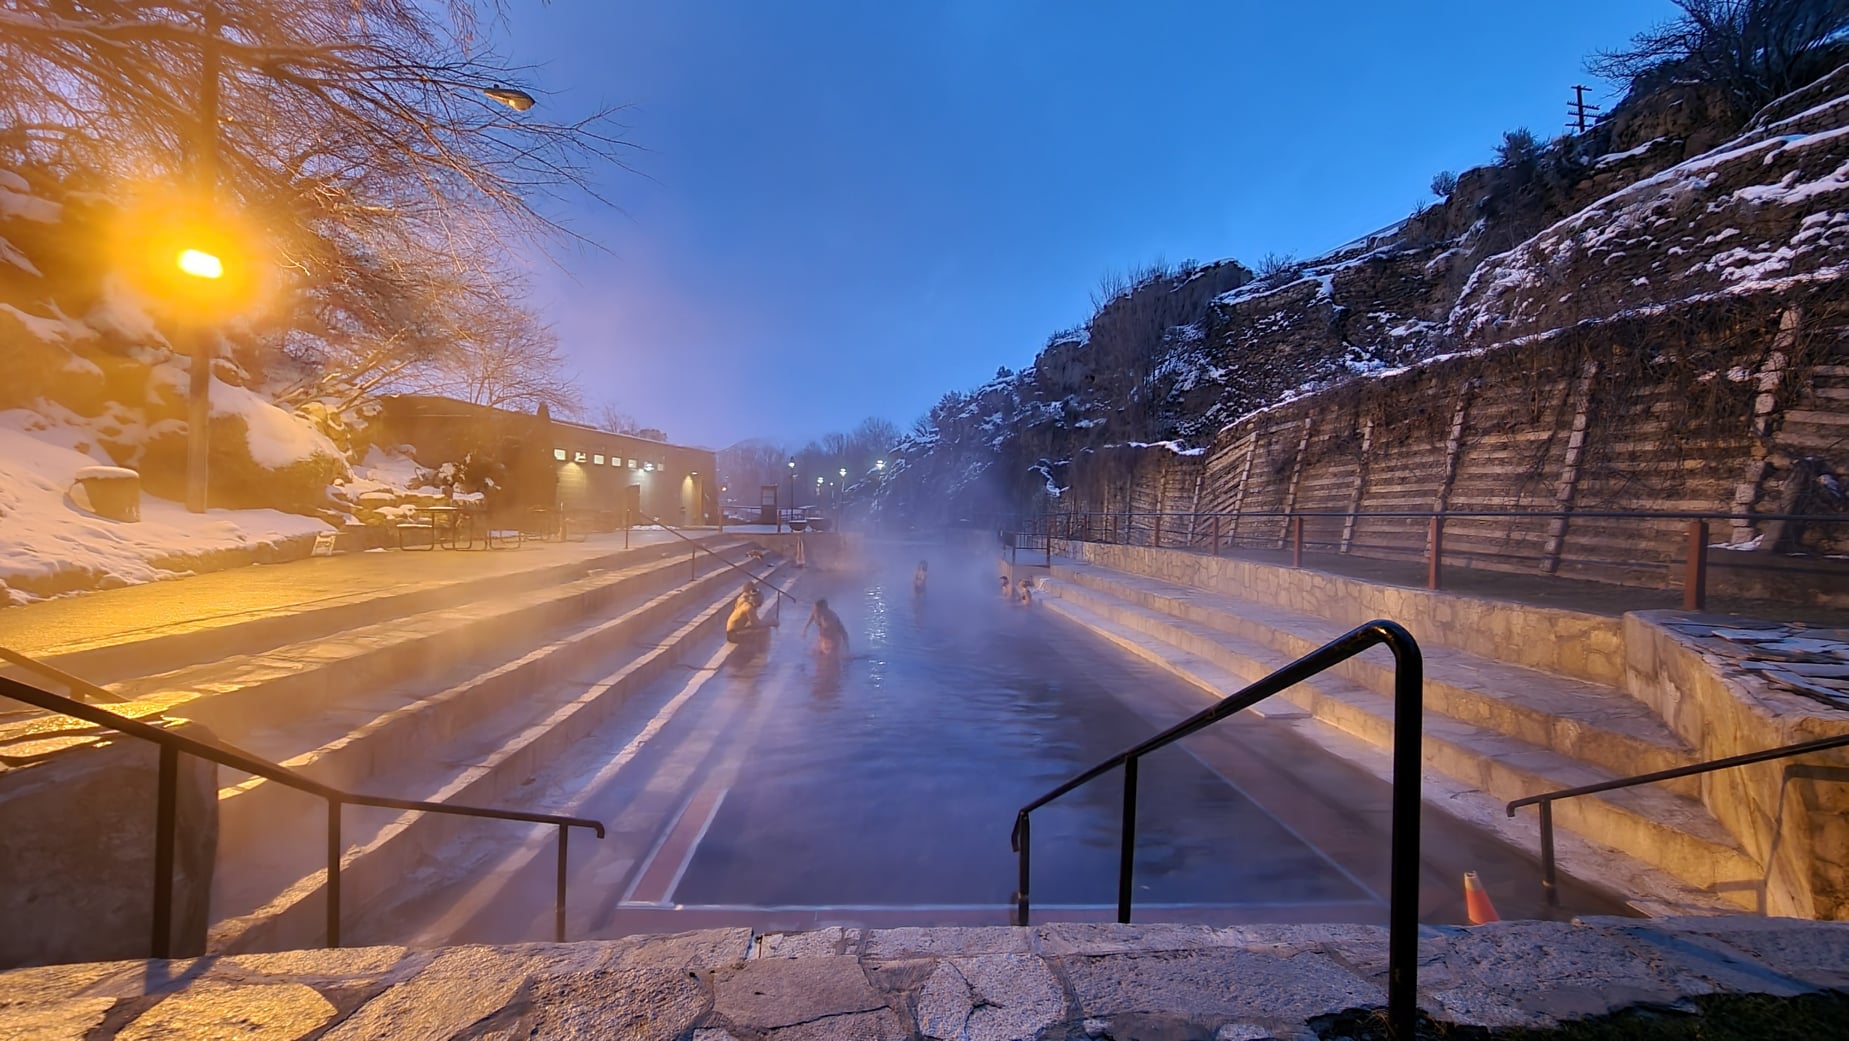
point(461, 692)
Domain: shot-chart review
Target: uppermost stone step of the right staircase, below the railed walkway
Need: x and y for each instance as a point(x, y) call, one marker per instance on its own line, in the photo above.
point(1582, 720)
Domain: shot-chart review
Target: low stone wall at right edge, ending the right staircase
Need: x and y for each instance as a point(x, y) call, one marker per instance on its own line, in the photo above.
point(1794, 820)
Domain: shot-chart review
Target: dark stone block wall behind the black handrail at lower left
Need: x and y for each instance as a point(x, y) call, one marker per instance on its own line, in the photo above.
point(77, 814)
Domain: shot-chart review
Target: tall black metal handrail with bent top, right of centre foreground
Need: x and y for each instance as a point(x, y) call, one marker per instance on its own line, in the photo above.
point(1402, 900)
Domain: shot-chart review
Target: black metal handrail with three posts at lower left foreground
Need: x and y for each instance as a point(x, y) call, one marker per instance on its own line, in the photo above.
point(169, 781)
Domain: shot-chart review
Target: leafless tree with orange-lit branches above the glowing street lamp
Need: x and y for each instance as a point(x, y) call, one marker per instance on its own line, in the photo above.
point(356, 132)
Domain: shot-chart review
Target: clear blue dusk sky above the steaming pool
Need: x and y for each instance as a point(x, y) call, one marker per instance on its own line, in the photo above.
point(846, 210)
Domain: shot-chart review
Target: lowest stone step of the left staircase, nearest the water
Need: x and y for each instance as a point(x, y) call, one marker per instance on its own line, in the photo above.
point(493, 772)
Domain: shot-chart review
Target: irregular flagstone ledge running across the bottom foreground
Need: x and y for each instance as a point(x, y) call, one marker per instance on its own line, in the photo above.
point(1584, 979)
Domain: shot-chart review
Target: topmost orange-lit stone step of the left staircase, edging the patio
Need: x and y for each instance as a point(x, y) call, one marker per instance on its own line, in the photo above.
point(217, 631)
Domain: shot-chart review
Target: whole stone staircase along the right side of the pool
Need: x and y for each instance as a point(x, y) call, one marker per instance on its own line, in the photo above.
point(1495, 729)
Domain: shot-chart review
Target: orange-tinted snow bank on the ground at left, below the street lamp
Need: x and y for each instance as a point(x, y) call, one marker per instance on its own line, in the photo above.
point(43, 533)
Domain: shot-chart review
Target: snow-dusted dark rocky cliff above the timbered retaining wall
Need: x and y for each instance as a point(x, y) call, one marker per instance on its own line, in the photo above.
point(1658, 214)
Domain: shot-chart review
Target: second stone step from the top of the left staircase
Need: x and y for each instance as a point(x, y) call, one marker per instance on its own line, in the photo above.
point(245, 696)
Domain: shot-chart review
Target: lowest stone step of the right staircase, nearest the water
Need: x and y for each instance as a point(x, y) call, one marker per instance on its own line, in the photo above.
point(1656, 827)
